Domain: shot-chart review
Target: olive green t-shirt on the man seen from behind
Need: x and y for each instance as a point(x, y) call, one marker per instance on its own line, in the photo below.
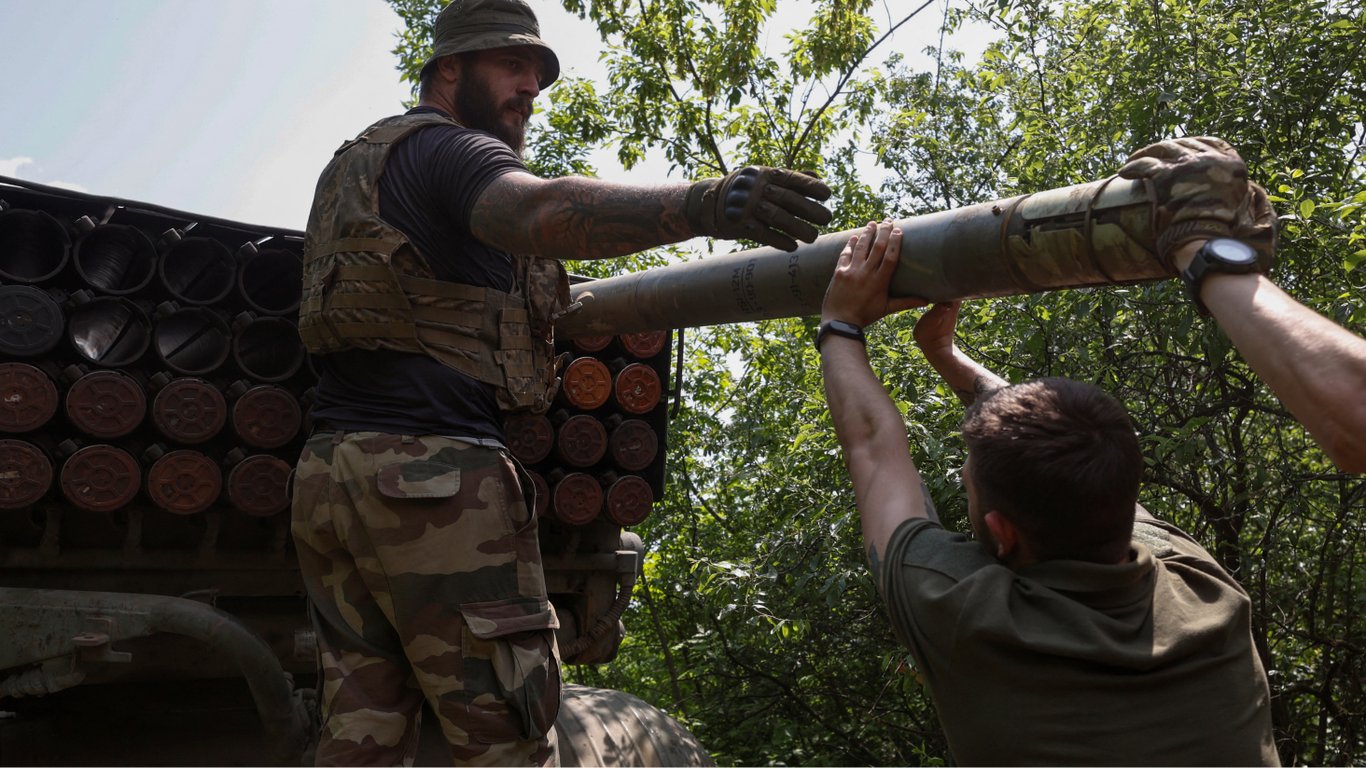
point(1065, 662)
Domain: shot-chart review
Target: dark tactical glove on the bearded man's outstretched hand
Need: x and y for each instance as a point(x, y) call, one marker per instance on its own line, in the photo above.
point(762, 204)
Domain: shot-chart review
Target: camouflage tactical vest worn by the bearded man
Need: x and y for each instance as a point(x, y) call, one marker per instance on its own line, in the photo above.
point(367, 288)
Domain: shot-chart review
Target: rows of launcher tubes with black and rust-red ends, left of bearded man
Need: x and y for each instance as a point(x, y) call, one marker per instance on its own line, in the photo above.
point(135, 367)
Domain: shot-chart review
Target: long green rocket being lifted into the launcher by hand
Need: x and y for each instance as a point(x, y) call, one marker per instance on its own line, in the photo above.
point(1092, 234)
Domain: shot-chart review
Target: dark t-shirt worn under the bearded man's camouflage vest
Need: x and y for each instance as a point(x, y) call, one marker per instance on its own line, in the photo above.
point(430, 185)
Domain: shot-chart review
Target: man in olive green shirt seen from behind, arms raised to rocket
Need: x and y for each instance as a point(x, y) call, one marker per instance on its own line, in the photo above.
point(1069, 632)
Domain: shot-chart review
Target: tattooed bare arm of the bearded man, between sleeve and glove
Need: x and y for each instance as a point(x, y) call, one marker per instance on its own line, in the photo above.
point(579, 218)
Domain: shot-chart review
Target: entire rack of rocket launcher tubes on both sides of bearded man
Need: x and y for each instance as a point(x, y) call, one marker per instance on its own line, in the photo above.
point(154, 398)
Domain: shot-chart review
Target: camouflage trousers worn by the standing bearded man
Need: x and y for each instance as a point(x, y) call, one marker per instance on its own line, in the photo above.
point(424, 573)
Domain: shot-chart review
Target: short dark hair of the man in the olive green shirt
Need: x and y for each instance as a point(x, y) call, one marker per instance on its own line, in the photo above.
point(1061, 461)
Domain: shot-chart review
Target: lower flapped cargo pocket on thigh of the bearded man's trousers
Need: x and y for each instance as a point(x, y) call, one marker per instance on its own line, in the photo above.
point(510, 653)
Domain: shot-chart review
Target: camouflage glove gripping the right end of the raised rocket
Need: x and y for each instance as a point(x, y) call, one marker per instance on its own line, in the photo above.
point(1200, 191)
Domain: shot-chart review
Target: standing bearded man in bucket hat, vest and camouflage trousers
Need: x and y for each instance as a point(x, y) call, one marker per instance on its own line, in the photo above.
point(432, 281)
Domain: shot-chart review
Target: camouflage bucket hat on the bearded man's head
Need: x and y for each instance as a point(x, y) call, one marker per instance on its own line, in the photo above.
point(480, 25)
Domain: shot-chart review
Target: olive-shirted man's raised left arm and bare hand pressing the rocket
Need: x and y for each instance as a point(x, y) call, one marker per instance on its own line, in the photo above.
point(887, 486)
